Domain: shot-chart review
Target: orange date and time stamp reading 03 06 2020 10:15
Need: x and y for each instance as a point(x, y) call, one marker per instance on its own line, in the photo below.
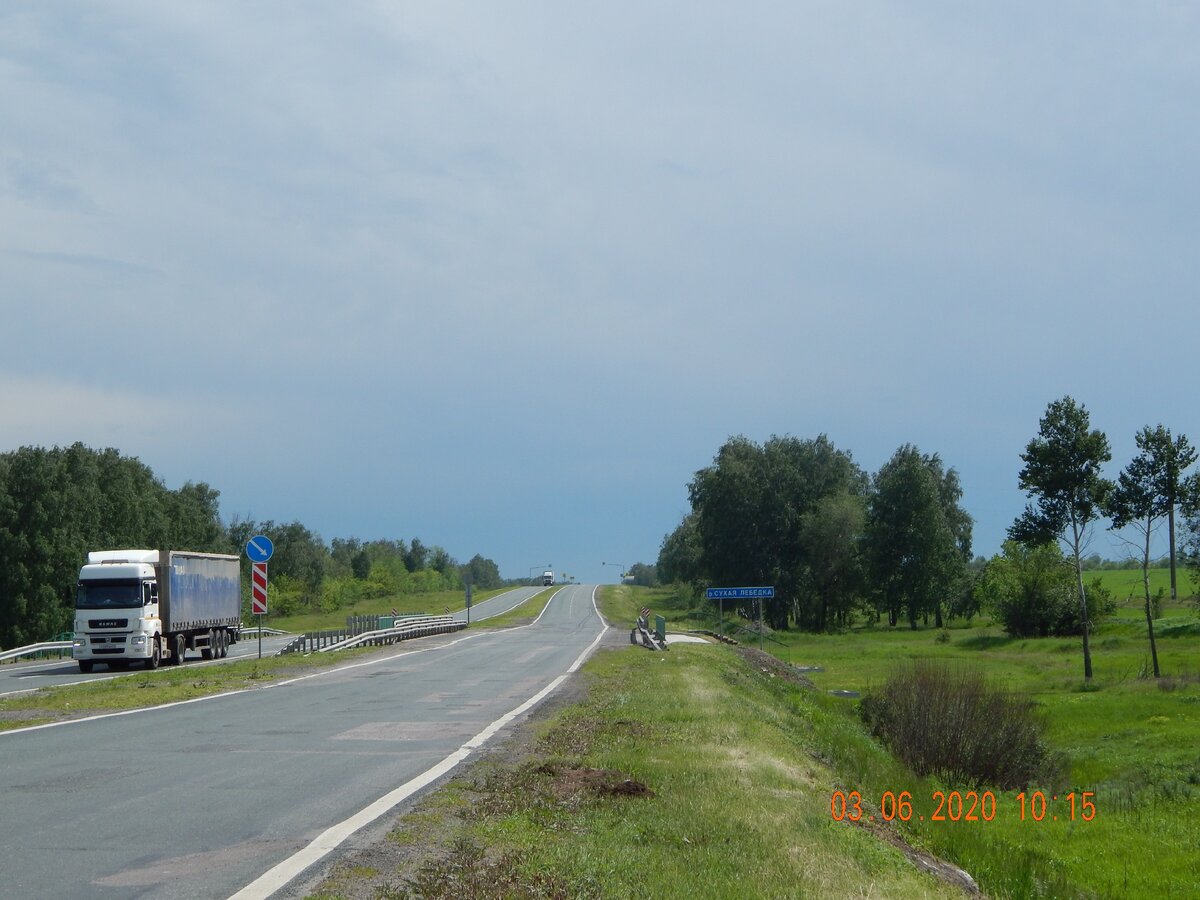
point(967, 807)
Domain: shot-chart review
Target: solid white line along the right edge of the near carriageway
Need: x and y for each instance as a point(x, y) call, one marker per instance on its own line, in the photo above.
point(334, 837)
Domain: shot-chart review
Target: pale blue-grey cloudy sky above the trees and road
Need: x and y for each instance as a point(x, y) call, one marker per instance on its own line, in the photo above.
point(503, 278)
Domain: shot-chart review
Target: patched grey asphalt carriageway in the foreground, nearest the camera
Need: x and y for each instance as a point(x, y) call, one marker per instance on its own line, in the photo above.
point(202, 800)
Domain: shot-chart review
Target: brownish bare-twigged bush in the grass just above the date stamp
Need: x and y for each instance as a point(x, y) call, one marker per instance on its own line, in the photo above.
point(952, 724)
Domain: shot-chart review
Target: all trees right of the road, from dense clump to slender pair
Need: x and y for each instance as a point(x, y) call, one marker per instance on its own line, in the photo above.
point(836, 543)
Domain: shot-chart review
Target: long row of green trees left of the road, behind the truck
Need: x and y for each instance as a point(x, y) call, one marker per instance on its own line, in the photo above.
point(57, 505)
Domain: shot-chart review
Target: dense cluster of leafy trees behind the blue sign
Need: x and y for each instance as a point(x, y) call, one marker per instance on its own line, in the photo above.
point(802, 517)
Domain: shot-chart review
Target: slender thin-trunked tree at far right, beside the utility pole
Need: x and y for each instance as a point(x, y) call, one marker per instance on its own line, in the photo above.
point(1148, 490)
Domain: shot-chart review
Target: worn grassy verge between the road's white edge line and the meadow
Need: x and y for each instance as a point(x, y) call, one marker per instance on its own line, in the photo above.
point(683, 775)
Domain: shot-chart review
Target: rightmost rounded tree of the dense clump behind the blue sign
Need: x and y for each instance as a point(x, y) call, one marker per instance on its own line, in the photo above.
point(919, 538)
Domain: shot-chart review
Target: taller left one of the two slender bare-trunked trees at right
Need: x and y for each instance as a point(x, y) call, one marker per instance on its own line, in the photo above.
point(1063, 476)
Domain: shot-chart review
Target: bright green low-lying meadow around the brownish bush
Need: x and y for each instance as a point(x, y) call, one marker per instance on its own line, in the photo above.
point(1132, 740)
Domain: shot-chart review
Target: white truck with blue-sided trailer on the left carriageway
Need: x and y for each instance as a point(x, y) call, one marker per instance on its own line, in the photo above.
point(155, 605)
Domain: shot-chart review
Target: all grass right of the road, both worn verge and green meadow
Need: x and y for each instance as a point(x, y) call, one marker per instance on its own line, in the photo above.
point(742, 767)
